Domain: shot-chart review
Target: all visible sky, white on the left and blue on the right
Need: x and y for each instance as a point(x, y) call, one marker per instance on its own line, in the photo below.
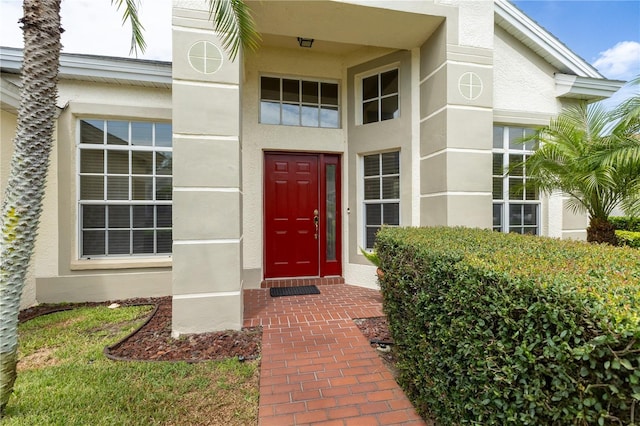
point(605, 33)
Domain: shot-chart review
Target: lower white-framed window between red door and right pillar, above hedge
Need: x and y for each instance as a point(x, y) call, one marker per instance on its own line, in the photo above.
point(381, 193)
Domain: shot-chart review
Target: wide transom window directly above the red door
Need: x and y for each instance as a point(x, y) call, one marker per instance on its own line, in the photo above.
point(305, 103)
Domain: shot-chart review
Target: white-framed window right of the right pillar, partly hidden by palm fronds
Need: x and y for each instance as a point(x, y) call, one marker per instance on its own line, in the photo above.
point(516, 205)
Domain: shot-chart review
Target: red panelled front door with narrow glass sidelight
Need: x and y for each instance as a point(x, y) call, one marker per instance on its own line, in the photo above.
point(302, 221)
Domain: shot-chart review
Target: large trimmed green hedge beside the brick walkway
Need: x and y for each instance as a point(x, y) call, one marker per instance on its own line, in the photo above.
point(507, 329)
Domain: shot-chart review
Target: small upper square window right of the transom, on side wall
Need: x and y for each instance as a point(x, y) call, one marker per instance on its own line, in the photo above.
point(380, 98)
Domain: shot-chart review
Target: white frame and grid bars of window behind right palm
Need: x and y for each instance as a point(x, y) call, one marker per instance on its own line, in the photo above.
point(506, 202)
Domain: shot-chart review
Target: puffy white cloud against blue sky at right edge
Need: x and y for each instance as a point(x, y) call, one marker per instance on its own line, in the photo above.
point(621, 62)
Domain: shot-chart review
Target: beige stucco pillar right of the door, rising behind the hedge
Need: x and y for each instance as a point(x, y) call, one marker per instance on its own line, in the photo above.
point(456, 121)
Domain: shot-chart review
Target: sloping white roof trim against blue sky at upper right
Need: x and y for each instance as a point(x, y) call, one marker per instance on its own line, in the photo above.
point(515, 22)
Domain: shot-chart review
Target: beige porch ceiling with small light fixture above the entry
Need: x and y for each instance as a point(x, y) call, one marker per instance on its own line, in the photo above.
point(339, 27)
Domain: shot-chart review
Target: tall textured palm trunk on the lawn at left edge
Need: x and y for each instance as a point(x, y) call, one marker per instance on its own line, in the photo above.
point(22, 201)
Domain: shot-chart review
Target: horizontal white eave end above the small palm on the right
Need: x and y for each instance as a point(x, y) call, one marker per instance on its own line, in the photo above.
point(585, 88)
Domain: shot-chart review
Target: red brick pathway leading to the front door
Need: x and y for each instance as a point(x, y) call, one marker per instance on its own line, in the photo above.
point(317, 368)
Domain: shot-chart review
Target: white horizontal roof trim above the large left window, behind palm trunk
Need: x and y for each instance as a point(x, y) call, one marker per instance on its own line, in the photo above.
point(92, 67)
